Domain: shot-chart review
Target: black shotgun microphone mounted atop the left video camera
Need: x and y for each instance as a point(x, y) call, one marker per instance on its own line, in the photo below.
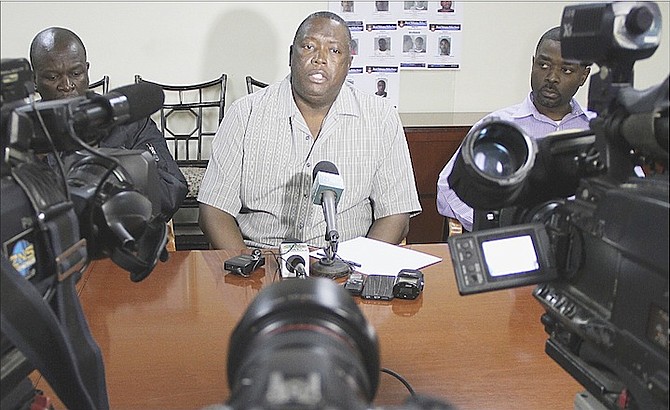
point(88, 116)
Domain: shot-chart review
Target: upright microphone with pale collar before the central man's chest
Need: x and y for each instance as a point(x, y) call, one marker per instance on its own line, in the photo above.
point(326, 191)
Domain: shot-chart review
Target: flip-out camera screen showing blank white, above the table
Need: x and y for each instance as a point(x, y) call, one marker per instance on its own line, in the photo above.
point(502, 258)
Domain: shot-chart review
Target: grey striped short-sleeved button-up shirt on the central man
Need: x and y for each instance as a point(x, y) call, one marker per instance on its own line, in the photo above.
point(263, 154)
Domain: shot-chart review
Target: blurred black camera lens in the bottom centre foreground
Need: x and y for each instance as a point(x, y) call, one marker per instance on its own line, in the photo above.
point(307, 339)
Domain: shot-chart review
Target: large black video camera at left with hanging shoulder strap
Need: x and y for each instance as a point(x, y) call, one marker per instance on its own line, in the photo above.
point(96, 203)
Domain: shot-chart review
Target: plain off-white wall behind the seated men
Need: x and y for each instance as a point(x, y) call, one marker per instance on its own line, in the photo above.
point(188, 42)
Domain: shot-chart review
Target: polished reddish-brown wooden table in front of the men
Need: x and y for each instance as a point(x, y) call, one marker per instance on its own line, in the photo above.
point(165, 339)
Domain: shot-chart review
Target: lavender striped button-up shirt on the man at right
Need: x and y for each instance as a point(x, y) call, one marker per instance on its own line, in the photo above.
point(535, 124)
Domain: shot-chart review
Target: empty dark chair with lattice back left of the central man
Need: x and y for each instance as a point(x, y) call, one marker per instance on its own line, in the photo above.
point(188, 120)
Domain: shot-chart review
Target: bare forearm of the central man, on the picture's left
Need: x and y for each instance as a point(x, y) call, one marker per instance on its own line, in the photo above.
point(220, 228)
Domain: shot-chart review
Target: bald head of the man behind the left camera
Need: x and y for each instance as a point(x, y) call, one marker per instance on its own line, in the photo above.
point(58, 57)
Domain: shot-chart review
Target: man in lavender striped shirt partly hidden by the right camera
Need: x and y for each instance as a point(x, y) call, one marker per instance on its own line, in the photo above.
point(549, 107)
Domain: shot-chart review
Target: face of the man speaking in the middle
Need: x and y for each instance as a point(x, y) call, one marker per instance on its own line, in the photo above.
point(320, 61)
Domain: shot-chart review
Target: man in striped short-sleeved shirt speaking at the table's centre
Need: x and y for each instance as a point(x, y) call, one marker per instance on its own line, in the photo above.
point(256, 190)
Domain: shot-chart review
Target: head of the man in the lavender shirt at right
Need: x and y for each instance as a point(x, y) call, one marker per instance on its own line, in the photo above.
point(553, 80)
